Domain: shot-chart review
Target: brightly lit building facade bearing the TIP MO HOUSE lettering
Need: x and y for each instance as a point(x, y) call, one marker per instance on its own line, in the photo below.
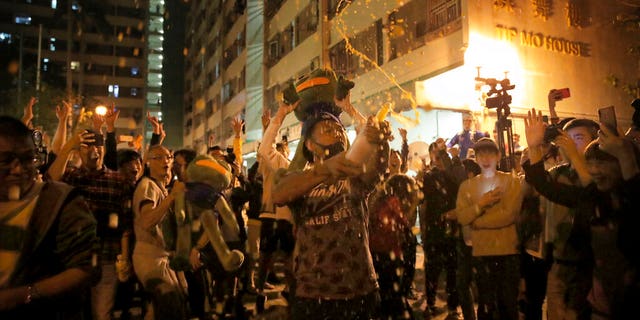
point(429, 59)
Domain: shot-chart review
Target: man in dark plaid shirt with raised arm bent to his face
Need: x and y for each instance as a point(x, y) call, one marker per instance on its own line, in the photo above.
point(108, 194)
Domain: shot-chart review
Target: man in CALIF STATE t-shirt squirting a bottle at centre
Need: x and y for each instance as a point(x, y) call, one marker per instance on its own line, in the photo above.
point(334, 274)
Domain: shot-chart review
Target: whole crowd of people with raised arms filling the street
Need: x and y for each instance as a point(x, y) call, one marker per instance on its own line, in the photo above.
point(94, 229)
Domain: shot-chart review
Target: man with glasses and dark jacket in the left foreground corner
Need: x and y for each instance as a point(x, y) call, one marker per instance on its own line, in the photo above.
point(48, 236)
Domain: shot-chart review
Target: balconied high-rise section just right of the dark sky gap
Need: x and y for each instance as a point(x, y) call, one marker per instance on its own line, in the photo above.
point(215, 81)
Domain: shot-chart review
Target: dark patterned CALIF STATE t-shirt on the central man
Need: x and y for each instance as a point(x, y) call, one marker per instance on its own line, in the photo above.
point(333, 259)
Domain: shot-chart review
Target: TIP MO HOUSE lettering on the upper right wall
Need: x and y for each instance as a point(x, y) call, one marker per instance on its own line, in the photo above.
point(534, 39)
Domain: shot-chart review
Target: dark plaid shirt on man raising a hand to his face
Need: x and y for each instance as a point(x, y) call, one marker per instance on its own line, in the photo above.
point(108, 195)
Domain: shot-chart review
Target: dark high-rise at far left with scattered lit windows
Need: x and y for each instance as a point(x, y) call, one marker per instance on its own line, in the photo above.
point(101, 51)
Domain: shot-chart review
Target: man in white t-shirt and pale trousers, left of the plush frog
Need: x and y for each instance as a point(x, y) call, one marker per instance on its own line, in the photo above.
point(152, 205)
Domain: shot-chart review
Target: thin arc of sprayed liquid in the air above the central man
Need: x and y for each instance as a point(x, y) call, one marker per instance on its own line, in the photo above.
point(342, 30)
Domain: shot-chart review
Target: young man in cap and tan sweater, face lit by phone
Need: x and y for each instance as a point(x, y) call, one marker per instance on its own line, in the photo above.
point(488, 204)
